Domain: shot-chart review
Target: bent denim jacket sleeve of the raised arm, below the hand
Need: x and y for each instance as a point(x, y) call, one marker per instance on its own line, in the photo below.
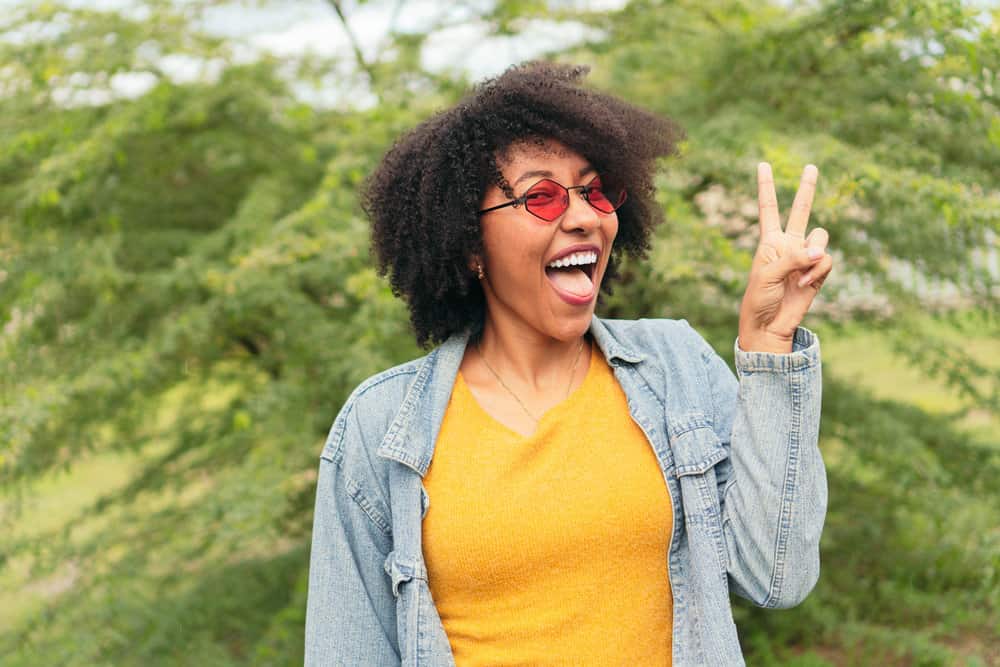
point(774, 502)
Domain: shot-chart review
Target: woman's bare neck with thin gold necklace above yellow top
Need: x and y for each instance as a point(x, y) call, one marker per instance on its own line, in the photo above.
point(529, 356)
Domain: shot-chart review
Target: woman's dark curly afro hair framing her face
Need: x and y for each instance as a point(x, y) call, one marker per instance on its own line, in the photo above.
point(423, 198)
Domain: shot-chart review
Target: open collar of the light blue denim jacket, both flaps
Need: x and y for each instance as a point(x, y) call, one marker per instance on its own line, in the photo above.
point(414, 430)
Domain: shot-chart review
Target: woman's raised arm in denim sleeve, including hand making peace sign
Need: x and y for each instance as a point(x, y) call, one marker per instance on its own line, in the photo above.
point(773, 488)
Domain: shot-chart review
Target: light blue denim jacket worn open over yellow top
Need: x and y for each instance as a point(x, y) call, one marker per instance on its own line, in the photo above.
point(739, 458)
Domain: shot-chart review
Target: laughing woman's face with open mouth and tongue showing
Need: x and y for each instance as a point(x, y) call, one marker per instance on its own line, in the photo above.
point(521, 286)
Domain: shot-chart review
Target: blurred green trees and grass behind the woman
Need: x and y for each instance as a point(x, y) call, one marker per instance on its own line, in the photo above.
point(187, 298)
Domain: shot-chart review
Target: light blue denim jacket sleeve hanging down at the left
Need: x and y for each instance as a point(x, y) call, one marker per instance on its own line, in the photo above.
point(350, 613)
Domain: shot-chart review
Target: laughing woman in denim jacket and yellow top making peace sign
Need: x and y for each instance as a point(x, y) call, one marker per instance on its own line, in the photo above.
point(546, 486)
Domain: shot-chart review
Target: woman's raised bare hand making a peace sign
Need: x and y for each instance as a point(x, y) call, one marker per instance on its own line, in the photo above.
point(787, 270)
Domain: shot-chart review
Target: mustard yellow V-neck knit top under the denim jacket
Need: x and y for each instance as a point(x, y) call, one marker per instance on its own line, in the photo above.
point(550, 549)
